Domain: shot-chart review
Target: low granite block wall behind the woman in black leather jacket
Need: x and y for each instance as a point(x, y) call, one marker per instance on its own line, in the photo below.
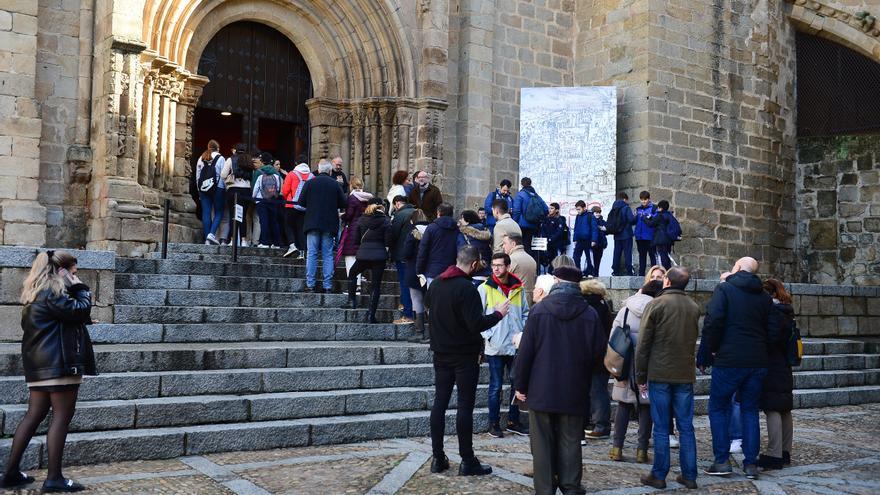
point(97, 269)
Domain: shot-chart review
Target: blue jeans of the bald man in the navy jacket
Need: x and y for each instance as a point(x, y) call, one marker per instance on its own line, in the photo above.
point(725, 383)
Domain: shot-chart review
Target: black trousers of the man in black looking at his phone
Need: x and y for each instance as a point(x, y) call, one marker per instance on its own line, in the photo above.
point(462, 370)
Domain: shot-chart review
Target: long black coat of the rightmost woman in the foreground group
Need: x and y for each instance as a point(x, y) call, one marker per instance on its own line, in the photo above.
point(779, 382)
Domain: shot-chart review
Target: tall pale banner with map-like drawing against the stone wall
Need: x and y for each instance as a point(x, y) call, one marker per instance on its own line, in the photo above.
point(568, 147)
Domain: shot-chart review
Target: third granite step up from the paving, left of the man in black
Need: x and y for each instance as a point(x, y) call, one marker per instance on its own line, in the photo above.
point(145, 385)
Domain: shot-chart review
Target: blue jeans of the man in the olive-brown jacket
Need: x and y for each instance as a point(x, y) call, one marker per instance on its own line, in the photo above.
point(668, 399)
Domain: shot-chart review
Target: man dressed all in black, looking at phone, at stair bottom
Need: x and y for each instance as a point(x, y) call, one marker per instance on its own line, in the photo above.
point(457, 320)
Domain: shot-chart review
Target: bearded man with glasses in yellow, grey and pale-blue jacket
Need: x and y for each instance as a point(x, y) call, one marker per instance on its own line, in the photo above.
point(500, 287)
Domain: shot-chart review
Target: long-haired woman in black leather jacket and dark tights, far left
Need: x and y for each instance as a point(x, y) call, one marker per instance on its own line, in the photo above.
point(56, 353)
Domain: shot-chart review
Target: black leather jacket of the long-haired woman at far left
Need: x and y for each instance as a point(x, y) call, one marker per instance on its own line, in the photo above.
point(55, 342)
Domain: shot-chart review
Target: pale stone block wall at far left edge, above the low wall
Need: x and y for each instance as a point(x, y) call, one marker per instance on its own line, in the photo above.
point(22, 219)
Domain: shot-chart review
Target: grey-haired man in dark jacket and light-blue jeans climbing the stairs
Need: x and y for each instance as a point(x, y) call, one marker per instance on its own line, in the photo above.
point(322, 197)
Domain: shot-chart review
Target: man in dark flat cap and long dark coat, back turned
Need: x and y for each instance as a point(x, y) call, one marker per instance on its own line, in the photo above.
point(562, 344)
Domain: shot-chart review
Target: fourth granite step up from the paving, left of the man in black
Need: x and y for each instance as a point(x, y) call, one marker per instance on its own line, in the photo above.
point(115, 358)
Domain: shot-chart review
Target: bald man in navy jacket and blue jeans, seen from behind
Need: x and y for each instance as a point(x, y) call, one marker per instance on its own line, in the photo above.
point(737, 330)
